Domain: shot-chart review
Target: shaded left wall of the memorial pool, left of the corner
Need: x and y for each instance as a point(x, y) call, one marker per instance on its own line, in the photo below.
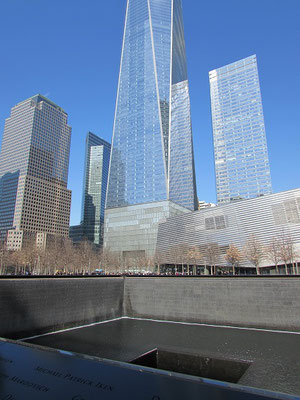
point(30, 306)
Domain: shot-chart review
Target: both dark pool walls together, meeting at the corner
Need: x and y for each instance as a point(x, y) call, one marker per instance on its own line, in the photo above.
point(32, 306)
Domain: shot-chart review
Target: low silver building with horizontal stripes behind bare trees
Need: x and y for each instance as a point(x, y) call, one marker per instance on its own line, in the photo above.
point(275, 216)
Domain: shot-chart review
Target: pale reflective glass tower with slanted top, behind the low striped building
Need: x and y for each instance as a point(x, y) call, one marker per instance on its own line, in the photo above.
point(240, 146)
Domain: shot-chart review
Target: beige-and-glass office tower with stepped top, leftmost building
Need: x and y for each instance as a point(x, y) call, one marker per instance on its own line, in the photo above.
point(34, 163)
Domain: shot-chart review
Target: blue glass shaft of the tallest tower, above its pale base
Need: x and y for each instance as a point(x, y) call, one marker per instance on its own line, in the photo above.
point(152, 150)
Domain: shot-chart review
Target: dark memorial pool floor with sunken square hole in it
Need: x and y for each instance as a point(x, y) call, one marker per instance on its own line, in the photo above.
point(262, 359)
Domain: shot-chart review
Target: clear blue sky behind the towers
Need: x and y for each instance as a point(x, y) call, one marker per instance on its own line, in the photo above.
point(69, 50)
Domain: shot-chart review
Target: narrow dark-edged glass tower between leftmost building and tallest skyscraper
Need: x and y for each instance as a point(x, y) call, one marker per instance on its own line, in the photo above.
point(97, 156)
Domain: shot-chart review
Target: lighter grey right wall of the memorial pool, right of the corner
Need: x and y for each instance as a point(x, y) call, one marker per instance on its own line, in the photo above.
point(271, 303)
